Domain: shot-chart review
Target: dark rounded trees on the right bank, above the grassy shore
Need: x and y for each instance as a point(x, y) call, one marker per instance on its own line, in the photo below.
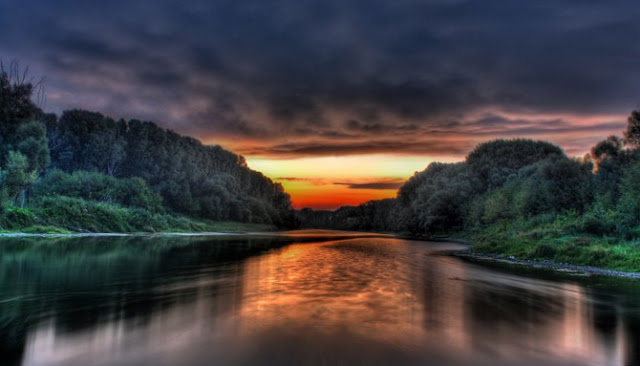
point(506, 181)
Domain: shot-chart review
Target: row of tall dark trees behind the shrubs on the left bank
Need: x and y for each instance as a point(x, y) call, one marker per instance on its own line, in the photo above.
point(193, 179)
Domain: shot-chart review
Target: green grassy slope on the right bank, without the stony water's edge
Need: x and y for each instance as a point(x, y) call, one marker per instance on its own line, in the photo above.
point(558, 238)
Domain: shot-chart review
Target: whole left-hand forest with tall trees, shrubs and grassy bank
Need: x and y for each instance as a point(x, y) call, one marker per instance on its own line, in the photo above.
point(83, 171)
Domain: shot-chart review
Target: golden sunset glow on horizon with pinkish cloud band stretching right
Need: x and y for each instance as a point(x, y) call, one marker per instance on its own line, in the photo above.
point(331, 181)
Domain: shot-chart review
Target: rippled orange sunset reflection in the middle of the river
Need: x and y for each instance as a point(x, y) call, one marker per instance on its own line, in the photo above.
point(332, 286)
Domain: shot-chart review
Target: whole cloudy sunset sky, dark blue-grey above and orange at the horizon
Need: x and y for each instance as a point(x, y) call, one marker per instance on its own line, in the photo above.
point(340, 100)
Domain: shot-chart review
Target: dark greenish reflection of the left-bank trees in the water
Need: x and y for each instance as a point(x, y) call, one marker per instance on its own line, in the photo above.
point(84, 282)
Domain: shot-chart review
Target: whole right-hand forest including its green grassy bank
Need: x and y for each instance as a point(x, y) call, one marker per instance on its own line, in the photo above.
point(519, 198)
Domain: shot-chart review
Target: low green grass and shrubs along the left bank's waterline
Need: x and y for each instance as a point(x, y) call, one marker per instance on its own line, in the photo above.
point(73, 215)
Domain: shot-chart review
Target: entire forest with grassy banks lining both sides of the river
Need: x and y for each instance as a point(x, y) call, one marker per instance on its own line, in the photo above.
point(86, 172)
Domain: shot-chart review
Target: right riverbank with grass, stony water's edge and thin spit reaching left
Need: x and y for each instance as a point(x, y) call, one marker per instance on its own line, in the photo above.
point(547, 247)
